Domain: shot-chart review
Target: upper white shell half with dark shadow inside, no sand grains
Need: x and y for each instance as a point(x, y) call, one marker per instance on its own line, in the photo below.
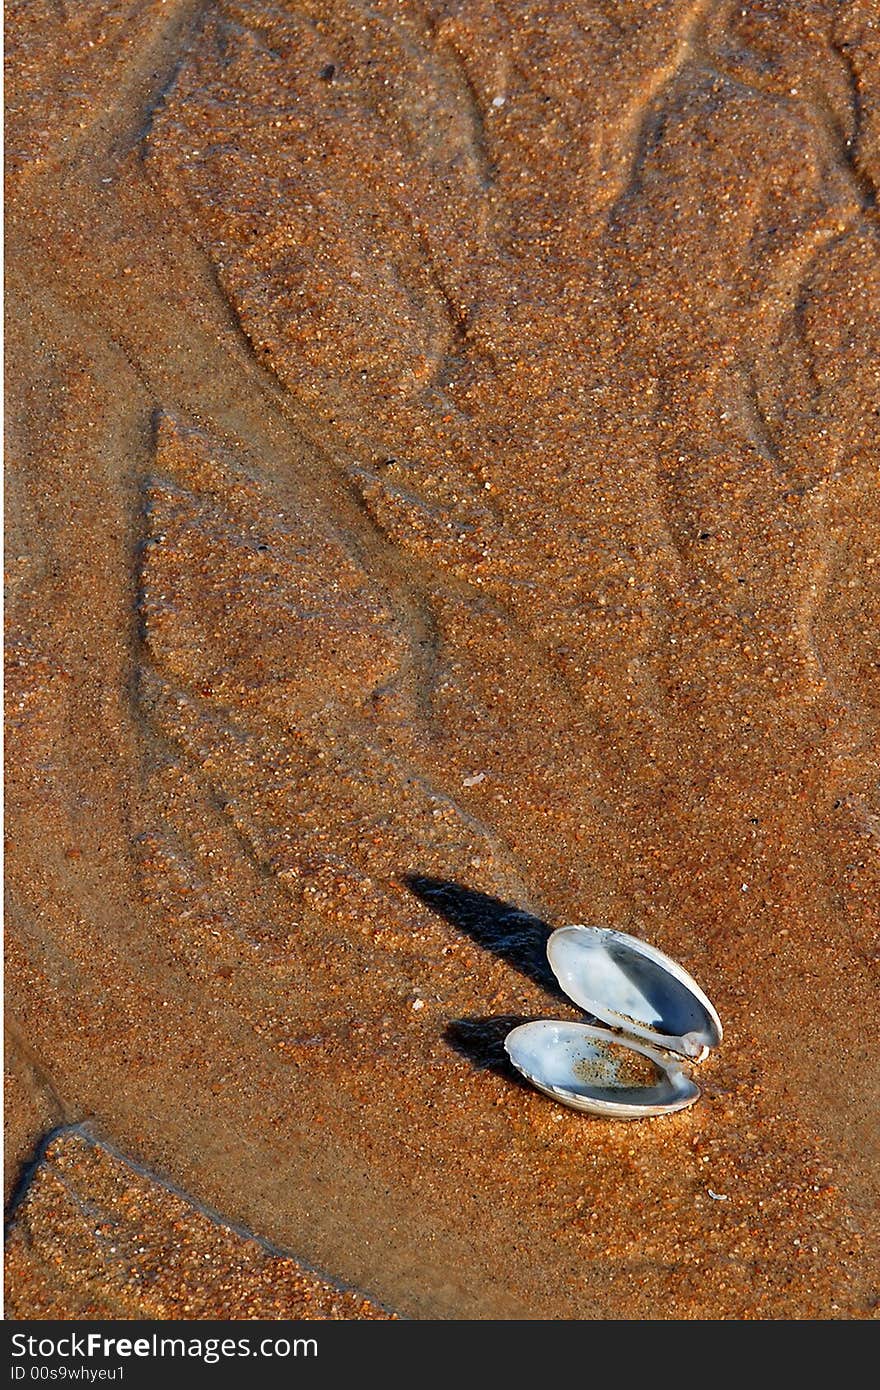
point(632, 986)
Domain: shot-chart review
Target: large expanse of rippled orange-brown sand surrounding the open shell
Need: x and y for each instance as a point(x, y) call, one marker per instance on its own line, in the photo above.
point(443, 504)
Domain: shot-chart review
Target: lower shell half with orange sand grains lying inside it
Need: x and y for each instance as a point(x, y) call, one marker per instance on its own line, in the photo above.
point(594, 1070)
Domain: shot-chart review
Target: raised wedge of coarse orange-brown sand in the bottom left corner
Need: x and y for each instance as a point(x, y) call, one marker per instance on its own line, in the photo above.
point(97, 1239)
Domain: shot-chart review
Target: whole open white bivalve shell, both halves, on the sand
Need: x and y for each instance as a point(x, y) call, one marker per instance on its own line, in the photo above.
point(643, 995)
